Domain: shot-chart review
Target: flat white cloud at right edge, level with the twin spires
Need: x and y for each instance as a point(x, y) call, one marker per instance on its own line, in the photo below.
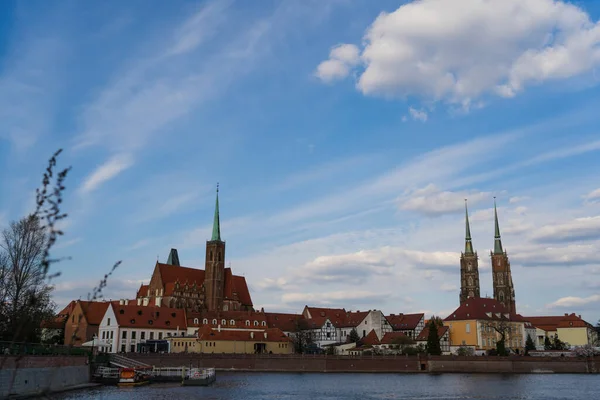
point(578, 229)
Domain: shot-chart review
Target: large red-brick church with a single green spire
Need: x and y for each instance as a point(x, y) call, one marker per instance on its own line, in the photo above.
point(213, 289)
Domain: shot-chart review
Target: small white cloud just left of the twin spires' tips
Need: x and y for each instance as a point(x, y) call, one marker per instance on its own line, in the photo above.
point(432, 201)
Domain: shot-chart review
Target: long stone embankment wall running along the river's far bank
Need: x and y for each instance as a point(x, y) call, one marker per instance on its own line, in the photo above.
point(319, 363)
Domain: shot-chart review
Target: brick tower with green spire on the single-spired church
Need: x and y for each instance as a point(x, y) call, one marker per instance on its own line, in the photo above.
point(214, 281)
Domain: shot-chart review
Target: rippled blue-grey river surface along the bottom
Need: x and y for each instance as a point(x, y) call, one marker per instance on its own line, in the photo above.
point(331, 386)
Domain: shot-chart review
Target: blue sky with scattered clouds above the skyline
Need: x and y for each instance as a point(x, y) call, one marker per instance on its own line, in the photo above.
point(344, 135)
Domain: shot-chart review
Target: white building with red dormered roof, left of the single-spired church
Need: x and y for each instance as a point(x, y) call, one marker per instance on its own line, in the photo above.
point(124, 327)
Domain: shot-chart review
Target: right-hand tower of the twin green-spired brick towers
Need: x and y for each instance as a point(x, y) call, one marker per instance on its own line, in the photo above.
point(504, 290)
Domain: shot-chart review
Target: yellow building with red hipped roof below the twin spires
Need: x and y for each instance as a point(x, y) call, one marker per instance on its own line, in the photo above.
point(477, 321)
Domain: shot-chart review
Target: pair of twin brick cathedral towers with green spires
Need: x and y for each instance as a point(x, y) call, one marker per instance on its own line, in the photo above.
point(504, 291)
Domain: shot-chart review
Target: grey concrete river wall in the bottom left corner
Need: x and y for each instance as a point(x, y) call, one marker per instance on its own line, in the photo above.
point(40, 374)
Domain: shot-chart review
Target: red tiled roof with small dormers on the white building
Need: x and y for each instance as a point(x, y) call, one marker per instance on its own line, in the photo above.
point(133, 316)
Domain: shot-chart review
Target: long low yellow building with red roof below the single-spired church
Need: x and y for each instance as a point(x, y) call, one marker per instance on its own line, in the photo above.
point(233, 341)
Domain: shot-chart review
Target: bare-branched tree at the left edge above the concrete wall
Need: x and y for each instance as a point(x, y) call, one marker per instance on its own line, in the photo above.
point(25, 301)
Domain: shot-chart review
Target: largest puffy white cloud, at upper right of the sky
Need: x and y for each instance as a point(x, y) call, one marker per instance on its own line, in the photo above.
point(459, 50)
